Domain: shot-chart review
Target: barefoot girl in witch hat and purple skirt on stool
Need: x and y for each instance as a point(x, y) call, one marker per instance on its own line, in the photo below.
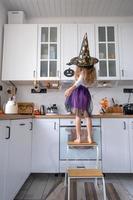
point(78, 98)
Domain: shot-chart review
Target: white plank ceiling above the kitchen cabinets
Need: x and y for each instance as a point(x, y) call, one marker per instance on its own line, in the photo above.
point(71, 8)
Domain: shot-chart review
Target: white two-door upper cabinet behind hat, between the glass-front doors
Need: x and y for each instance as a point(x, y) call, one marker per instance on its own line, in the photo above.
point(71, 40)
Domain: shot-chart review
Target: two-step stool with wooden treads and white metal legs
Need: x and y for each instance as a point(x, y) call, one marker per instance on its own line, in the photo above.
point(85, 173)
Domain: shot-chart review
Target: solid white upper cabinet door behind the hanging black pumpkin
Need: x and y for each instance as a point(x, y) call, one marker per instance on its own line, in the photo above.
point(68, 47)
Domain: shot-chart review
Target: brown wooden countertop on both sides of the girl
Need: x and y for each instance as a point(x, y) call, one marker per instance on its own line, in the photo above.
point(61, 116)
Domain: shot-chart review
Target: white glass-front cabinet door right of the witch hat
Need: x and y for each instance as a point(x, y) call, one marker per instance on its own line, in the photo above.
point(106, 50)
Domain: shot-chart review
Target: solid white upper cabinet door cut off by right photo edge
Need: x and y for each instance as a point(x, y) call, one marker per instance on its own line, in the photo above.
point(126, 49)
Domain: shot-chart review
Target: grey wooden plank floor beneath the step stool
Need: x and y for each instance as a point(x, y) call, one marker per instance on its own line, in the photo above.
point(42, 187)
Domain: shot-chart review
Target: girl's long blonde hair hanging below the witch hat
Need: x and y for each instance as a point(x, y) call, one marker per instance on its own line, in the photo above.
point(89, 74)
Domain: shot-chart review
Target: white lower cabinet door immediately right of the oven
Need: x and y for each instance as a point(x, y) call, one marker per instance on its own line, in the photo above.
point(115, 145)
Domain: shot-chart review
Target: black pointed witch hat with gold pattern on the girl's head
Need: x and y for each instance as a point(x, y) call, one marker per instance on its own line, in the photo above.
point(84, 59)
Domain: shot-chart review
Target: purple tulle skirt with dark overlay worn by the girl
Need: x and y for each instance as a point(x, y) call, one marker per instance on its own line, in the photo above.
point(79, 102)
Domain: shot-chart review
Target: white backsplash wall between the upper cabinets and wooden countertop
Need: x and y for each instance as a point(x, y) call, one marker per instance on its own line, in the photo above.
point(54, 96)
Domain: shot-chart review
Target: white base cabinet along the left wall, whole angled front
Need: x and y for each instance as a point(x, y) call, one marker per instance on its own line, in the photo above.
point(16, 156)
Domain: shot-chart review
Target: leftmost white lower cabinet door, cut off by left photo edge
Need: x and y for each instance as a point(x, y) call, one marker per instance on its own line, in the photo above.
point(4, 142)
